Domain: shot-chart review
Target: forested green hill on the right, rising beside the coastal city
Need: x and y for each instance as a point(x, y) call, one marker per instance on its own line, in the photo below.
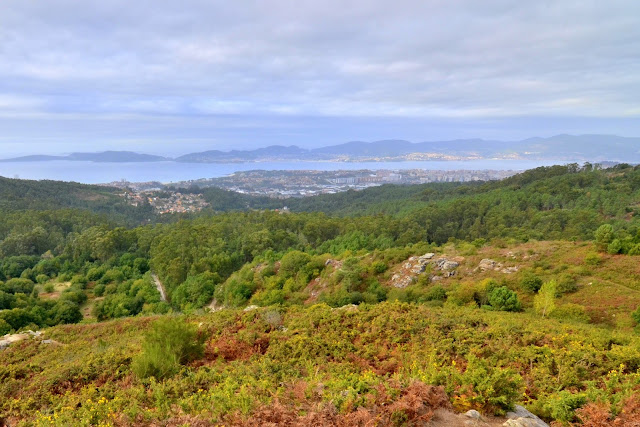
point(556, 191)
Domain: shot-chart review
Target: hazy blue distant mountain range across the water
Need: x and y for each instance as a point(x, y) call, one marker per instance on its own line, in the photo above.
point(560, 147)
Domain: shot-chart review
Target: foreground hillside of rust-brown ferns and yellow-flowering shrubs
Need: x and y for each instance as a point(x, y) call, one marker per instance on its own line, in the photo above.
point(393, 362)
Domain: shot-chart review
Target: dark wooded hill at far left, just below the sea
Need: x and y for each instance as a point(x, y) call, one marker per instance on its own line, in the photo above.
point(20, 195)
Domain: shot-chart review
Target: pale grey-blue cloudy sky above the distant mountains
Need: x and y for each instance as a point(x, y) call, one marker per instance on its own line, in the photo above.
point(170, 77)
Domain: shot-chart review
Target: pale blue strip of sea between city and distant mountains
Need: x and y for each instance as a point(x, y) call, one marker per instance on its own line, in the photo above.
point(167, 172)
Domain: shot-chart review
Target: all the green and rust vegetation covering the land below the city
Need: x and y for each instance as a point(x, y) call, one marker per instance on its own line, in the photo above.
point(476, 295)
